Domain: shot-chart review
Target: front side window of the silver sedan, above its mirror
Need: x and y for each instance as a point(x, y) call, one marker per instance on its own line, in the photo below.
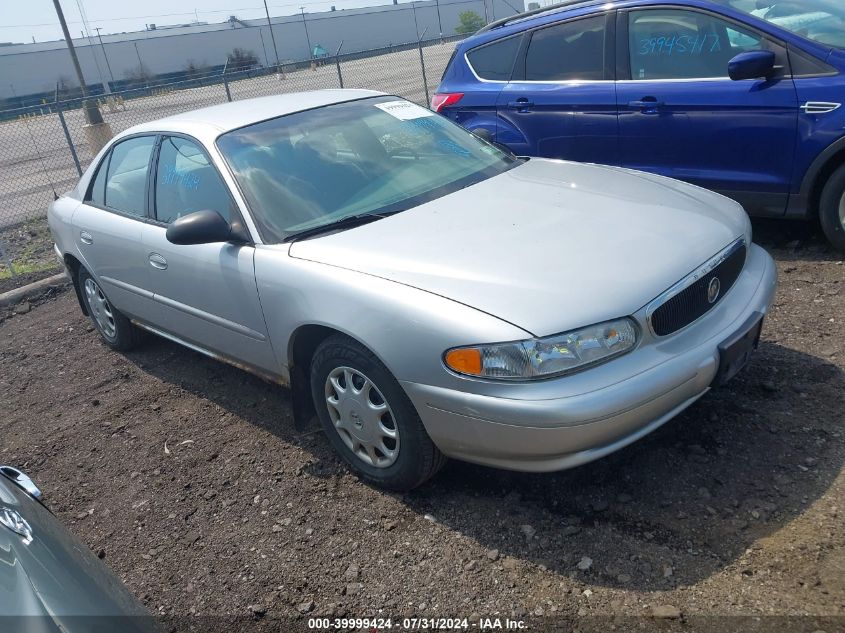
point(187, 182)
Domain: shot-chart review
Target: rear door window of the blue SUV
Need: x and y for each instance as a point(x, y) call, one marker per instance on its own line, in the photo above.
point(569, 51)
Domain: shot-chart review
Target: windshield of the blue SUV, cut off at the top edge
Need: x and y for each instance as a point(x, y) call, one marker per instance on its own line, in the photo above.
point(819, 20)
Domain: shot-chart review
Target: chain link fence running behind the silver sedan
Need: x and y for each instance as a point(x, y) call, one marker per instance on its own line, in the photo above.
point(44, 149)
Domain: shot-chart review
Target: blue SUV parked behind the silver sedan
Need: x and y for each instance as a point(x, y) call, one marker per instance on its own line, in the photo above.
point(744, 97)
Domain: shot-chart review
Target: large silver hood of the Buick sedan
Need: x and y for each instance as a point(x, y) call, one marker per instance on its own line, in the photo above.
point(548, 246)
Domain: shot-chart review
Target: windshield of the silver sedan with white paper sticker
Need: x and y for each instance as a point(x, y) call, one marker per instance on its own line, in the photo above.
point(367, 157)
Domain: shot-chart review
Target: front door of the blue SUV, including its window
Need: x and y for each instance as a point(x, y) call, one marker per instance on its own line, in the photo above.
point(680, 115)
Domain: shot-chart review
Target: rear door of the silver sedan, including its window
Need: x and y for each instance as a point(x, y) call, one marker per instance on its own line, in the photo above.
point(109, 223)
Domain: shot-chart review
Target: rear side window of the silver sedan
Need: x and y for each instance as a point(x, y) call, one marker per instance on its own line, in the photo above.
point(126, 182)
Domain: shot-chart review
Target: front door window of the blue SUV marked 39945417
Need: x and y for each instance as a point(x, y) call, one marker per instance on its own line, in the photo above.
point(679, 44)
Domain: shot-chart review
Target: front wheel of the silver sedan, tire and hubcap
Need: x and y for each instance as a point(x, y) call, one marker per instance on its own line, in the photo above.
point(368, 418)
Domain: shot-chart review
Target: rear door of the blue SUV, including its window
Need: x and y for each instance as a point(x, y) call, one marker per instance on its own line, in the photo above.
point(561, 100)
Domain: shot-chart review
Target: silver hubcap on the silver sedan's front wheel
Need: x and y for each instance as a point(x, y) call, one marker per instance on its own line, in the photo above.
point(362, 417)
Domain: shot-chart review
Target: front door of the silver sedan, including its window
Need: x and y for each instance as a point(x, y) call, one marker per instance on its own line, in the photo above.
point(206, 293)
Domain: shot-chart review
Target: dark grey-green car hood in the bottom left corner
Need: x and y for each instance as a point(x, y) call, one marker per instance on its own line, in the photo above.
point(57, 579)
